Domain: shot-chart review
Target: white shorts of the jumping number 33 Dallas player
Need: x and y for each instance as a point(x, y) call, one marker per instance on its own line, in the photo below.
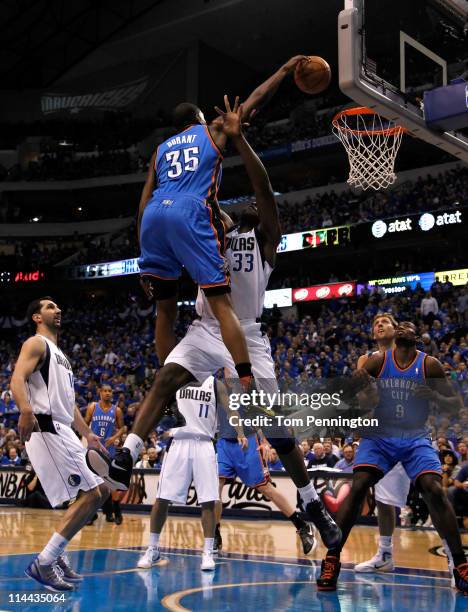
point(202, 352)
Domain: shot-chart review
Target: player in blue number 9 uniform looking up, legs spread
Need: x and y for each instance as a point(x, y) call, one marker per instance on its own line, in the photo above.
point(401, 402)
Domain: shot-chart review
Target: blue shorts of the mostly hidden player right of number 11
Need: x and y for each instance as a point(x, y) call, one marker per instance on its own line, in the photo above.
point(247, 464)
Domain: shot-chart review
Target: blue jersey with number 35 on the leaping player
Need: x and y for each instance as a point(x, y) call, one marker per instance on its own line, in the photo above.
point(189, 163)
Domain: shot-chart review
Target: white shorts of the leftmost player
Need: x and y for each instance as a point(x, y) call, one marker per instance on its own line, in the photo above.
point(59, 462)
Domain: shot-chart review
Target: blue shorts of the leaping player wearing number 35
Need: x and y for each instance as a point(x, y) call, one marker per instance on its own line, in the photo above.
point(181, 231)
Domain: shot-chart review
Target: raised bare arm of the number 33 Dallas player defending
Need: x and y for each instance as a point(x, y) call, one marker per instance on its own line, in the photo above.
point(268, 211)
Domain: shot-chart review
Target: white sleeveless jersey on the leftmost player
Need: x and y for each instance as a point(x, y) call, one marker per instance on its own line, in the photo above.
point(50, 388)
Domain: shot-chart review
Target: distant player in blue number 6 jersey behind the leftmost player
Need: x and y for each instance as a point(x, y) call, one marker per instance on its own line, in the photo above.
point(106, 421)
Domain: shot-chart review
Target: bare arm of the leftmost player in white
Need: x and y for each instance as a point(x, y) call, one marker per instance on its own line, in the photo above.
point(31, 356)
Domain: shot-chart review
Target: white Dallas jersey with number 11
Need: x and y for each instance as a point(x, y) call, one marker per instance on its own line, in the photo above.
point(197, 403)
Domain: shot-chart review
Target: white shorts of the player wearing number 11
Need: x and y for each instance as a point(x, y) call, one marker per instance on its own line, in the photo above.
point(189, 460)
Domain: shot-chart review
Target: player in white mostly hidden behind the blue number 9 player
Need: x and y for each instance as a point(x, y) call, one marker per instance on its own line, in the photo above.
point(392, 491)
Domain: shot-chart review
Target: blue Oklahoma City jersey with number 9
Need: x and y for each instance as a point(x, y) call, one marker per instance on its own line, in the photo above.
point(401, 414)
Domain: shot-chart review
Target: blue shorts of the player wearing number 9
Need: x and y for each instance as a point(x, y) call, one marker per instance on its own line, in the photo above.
point(416, 455)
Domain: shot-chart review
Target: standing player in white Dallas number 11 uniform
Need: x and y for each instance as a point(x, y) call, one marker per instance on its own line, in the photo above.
point(190, 456)
